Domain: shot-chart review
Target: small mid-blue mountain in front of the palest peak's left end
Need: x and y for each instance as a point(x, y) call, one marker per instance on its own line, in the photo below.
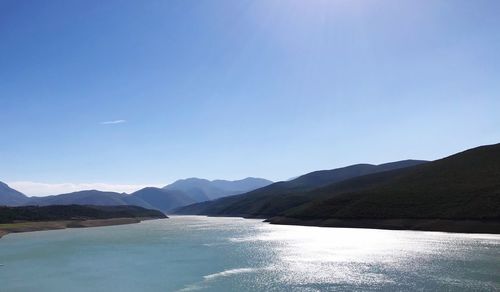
point(163, 200)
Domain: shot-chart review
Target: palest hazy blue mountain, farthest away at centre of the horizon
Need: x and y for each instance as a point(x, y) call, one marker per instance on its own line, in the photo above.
point(203, 190)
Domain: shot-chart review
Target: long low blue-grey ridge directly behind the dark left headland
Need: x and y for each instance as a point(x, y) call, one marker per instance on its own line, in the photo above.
point(90, 197)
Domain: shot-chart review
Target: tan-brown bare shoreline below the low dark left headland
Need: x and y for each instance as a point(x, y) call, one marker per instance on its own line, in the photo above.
point(30, 226)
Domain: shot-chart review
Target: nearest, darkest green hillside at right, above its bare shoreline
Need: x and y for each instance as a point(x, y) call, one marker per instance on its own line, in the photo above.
point(464, 186)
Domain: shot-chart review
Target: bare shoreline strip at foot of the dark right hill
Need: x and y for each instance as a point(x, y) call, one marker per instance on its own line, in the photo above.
point(438, 225)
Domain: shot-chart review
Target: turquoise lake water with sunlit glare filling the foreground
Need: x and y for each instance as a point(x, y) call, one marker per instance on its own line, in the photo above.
point(230, 254)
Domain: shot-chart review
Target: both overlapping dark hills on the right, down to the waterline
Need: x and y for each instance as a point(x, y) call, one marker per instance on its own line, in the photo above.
point(457, 193)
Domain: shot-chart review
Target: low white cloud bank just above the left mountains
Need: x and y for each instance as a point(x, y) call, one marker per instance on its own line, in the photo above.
point(44, 189)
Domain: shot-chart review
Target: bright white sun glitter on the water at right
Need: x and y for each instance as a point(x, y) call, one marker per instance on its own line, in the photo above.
point(362, 257)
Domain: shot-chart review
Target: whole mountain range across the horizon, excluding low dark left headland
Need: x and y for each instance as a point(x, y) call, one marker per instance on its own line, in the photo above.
point(457, 193)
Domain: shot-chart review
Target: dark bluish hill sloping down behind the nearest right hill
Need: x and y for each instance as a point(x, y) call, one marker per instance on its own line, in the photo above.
point(280, 196)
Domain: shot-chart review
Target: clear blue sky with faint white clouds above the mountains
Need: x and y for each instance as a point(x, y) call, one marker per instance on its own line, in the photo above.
point(117, 95)
